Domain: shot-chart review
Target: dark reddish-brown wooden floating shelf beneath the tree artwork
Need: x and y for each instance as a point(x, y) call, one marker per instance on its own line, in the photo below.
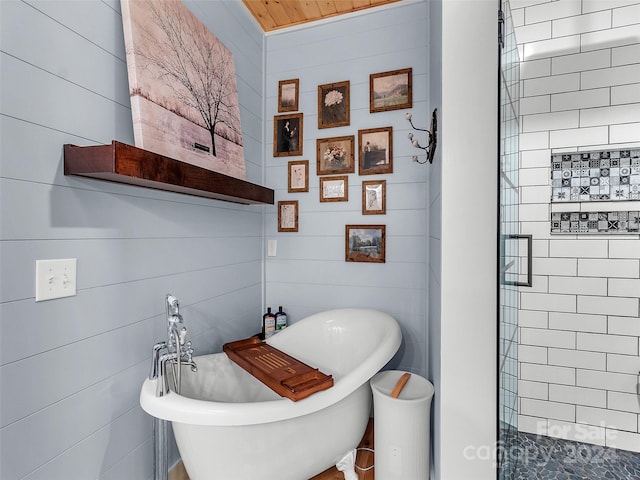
point(124, 163)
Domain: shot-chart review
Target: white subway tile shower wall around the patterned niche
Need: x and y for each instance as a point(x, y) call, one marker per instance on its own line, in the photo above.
point(580, 323)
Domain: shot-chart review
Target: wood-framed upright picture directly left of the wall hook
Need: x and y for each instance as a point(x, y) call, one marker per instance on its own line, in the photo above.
point(375, 151)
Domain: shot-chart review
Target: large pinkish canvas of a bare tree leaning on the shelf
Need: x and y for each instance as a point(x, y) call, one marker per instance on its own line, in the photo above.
point(182, 82)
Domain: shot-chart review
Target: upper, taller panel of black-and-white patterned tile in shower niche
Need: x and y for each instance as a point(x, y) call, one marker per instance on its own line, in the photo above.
point(595, 176)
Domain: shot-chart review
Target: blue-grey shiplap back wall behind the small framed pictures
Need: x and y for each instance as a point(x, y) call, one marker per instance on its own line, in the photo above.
point(309, 273)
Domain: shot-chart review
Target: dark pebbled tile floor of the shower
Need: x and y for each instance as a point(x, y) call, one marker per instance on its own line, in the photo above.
point(535, 457)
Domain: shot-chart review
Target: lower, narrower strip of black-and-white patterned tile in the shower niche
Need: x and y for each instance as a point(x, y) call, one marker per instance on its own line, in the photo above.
point(595, 222)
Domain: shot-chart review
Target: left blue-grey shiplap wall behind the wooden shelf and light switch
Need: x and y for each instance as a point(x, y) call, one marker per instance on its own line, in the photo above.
point(71, 369)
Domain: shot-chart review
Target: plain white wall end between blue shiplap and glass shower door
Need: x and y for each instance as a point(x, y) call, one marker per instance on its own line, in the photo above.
point(468, 317)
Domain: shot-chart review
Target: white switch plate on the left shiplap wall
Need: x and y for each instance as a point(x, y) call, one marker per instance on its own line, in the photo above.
point(55, 278)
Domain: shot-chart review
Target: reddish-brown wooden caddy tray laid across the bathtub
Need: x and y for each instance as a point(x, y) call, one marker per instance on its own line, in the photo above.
point(280, 372)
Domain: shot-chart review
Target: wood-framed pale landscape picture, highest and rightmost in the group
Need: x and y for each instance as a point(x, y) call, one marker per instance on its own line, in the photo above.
point(390, 90)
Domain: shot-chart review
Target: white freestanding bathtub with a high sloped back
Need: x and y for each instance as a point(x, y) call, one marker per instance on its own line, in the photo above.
point(229, 426)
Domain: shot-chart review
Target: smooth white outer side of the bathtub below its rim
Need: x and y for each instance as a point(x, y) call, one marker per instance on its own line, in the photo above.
point(292, 449)
